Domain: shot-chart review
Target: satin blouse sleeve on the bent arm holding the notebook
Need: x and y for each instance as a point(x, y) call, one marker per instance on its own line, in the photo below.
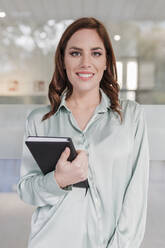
point(34, 187)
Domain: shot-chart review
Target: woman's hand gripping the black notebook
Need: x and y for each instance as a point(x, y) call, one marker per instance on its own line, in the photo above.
point(67, 172)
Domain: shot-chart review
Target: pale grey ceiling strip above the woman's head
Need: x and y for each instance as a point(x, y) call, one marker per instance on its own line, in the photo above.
point(38, 12)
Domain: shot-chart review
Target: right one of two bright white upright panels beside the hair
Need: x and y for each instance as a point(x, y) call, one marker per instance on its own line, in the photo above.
point(132, 70)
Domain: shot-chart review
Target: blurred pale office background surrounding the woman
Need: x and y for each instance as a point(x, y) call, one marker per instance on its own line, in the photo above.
point(30, 31)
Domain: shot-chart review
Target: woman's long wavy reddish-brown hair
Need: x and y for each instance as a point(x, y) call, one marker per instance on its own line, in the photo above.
point(60, 80)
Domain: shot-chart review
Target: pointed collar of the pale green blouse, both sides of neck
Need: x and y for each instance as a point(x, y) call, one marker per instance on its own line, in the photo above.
point(101, 108)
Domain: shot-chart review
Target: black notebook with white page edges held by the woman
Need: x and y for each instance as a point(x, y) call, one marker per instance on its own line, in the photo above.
point(47, 150)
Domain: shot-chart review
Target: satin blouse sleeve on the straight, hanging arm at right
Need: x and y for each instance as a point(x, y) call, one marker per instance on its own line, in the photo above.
point(130, 228)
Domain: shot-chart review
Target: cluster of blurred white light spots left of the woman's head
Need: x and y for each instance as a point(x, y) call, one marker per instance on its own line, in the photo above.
point(45, 37)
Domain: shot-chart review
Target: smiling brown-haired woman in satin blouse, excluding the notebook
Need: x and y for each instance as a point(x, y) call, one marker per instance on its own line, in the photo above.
point(111, 140)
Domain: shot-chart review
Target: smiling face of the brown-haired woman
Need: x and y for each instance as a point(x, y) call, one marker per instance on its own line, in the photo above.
point(85, 60)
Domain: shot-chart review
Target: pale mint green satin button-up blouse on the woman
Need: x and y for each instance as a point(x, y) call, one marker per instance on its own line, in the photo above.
point(113, 212)
